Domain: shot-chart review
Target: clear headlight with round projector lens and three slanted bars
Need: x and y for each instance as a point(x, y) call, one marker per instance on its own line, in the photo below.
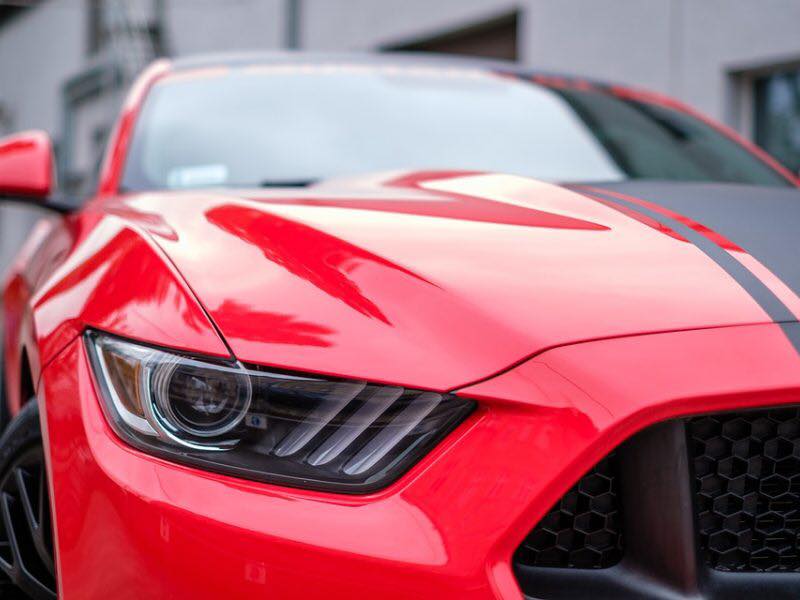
point(305, 431)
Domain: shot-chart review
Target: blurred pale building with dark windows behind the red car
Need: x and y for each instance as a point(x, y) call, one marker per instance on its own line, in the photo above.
point(65, 64)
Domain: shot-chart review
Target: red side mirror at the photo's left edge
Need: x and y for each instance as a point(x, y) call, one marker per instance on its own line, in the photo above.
point(26, 166)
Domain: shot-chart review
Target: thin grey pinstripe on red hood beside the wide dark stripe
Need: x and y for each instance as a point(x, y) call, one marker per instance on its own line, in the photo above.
point(751, 284)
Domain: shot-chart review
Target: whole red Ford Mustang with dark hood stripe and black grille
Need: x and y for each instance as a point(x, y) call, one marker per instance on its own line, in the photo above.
point(396, 327)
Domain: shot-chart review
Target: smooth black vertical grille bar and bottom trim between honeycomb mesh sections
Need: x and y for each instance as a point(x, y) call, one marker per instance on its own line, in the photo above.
point(662, 556)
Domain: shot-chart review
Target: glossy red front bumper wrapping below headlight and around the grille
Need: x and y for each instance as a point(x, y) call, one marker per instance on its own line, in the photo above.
point(130, 525)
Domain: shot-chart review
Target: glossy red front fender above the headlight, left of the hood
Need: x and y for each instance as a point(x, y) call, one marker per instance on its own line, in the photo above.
point(97, 270)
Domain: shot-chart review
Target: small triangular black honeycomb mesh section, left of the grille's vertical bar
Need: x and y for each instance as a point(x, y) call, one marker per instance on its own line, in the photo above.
point(582, 531)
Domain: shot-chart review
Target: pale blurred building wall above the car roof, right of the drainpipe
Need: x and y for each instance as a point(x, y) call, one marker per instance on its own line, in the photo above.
point(684, 48)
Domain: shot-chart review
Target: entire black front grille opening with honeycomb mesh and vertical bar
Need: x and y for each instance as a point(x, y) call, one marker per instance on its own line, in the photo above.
point(702, 507)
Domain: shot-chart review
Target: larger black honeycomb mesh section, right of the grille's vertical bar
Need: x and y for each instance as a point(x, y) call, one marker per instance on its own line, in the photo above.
point(747, 486)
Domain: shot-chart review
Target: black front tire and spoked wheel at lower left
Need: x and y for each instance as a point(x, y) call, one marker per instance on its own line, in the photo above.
point(26, 539)
